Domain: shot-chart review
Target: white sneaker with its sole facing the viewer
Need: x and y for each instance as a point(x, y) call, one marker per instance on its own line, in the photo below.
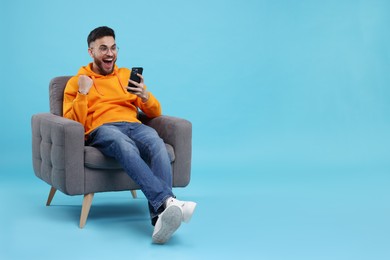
point(167, 223)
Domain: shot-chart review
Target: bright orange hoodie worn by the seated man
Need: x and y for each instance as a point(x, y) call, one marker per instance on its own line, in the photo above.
point(107, 101)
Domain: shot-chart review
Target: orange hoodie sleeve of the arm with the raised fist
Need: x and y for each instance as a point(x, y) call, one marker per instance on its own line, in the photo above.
point(75, 106)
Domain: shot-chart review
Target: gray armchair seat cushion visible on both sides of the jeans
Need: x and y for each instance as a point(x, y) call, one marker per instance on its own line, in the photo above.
point(94, 159)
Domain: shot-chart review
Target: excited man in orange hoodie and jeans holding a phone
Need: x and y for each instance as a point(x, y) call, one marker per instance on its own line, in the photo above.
point(99, 98)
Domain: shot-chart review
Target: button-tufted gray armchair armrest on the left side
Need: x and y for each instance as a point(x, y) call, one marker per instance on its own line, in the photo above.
point(58, 152)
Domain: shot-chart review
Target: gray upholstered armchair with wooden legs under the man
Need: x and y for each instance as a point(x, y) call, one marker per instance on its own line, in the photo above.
point(61, 159)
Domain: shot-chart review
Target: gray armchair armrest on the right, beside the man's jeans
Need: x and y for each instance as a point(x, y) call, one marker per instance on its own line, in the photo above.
point(178, 133)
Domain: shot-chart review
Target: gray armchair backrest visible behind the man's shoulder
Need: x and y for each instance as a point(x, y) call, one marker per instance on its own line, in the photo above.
point(56, 94)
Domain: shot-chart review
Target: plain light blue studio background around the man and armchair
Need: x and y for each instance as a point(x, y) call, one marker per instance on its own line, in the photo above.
point(289, 102)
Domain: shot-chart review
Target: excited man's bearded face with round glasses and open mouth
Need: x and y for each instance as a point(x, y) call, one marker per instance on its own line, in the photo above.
point(104, 54)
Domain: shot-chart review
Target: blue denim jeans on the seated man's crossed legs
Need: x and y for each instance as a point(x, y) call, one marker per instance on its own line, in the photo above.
point(142, 154)
